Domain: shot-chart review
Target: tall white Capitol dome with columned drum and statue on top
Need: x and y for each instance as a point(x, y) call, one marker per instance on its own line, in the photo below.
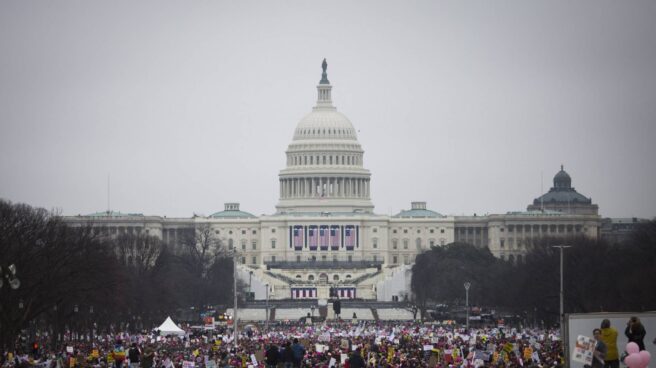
point(324, 171)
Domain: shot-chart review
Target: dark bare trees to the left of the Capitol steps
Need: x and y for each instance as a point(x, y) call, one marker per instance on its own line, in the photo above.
point(75, 280)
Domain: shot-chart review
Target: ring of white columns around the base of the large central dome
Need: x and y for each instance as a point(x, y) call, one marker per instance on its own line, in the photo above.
point(330, 187)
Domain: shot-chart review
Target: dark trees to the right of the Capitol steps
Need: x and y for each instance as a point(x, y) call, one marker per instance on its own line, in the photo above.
point(598, 277)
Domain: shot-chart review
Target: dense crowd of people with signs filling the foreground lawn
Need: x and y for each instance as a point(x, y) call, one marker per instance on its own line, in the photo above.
point(331, 344)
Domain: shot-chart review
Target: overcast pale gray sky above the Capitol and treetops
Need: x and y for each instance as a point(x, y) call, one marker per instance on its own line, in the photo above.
point(192, 104)
